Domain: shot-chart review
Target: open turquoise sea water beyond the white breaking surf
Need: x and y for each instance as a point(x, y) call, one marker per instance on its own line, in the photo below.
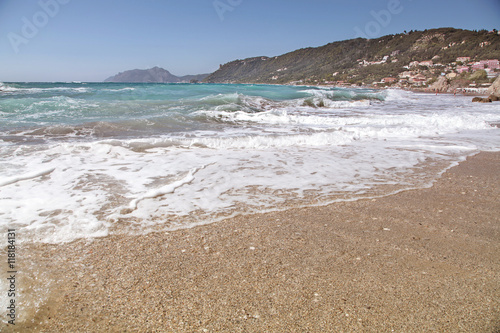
point(91, 110)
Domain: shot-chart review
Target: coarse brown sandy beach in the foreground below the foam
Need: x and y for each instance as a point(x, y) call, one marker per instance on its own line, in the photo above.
point(417, 261)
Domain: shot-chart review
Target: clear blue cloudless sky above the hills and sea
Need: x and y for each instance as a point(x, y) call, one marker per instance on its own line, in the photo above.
point(90, 40)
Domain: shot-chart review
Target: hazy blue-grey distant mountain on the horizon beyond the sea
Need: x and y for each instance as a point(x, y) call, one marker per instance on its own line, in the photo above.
point(153, 75)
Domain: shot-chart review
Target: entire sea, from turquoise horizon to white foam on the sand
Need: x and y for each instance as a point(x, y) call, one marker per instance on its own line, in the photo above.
point(88, 160)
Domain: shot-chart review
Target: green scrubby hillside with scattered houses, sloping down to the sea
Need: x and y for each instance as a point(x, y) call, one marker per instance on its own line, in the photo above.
point(362, 61)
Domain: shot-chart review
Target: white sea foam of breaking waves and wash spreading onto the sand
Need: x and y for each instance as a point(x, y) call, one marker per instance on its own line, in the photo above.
point(260, 154)
